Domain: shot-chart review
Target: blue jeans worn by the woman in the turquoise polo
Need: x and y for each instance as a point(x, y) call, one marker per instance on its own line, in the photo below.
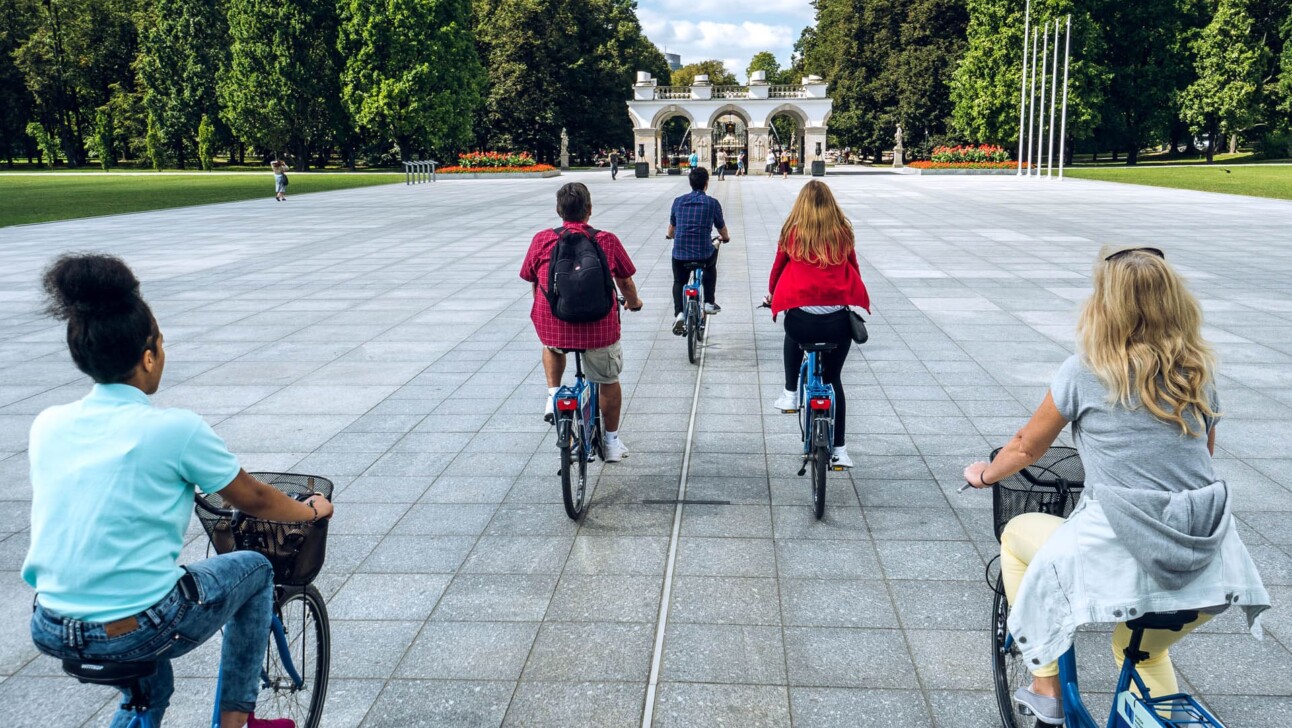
point(236, 592)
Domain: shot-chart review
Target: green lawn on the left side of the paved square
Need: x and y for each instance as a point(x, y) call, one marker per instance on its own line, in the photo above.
point(64, 197)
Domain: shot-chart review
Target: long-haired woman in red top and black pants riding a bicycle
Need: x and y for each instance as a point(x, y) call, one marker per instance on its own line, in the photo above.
point(815, 280)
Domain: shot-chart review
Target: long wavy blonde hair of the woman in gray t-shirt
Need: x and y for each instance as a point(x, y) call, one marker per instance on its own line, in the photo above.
point(1141, 336)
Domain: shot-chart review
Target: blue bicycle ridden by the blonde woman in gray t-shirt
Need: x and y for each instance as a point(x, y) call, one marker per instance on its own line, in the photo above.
point(1054, 486)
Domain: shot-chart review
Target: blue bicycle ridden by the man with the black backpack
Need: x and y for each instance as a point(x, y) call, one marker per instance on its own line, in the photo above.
point(578, 422)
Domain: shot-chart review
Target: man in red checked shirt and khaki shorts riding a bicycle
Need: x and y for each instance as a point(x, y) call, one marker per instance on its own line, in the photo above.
point(603, 356)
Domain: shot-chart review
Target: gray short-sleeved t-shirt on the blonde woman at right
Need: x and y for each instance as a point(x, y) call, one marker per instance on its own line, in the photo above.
point(1129, 448)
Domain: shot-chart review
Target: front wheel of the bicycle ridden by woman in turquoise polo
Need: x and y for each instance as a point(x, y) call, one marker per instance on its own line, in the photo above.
point(294, 682)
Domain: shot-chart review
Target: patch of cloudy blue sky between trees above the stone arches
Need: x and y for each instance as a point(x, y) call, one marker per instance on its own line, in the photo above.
point(729, 30)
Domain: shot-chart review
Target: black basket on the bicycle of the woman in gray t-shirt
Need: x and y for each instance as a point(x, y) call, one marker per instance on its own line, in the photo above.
point(1051, 486)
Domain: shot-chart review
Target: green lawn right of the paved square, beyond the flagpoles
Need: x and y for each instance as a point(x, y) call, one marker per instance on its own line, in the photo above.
point(1258, 180)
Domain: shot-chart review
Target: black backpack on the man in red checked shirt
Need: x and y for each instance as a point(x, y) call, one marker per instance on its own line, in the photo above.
point(579, 285)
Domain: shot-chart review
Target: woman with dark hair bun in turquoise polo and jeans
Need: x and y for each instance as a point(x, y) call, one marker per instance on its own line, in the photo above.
point(113, 482)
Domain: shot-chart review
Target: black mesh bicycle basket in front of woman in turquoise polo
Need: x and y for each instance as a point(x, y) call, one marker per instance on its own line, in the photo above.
point(297, 551)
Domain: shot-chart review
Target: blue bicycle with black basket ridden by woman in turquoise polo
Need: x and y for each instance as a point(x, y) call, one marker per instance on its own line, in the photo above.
point(295, 677)
